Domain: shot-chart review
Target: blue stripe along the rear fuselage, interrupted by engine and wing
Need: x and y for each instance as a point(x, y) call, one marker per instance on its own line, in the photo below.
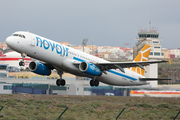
point(111, 71)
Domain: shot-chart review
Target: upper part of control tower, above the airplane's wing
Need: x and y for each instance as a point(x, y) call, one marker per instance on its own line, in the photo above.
point(150, 37)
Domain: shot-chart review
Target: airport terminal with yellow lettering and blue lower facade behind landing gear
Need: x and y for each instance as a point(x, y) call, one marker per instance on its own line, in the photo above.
point(47, 85)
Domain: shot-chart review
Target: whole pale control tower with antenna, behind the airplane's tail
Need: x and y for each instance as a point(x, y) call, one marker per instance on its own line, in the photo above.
point(150, 37)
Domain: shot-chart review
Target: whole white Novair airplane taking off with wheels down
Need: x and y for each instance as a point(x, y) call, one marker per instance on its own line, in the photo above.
point(66, 59)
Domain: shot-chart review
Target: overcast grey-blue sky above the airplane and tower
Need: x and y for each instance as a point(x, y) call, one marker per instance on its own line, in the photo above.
point(105, 22)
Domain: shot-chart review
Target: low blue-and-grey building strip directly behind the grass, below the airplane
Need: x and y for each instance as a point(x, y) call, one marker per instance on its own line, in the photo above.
point(69, 89)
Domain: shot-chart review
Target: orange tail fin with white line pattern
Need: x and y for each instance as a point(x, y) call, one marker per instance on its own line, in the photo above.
point(142, 56)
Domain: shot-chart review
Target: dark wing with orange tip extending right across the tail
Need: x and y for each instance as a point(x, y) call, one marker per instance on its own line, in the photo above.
point(121, 65)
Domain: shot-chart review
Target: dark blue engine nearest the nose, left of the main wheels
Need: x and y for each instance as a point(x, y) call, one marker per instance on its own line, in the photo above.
point(39, 68)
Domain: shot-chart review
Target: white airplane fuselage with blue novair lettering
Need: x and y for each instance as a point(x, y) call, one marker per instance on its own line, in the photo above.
point(63, 58)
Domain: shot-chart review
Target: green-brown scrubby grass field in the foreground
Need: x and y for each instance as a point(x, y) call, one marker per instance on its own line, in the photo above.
point(49, 107)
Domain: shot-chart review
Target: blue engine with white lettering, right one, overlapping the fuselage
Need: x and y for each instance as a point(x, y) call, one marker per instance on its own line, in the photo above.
point(90, 68)
